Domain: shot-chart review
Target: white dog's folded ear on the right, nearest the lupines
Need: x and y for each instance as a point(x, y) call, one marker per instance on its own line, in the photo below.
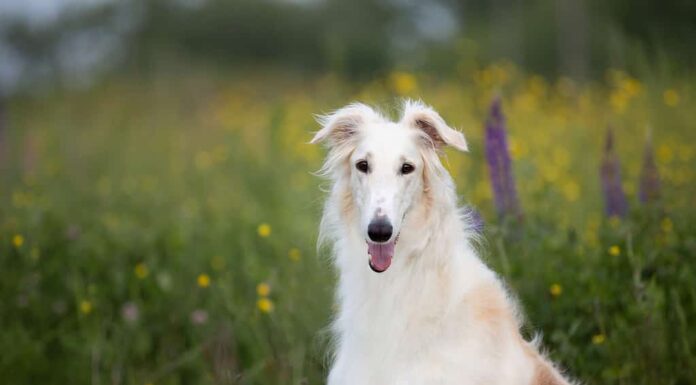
point(418, 115)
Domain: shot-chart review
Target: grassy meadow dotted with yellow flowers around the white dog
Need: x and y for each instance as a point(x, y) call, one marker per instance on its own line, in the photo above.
point(162, 230)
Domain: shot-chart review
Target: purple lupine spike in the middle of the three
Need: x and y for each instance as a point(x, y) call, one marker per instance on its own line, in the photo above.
point(615, 203)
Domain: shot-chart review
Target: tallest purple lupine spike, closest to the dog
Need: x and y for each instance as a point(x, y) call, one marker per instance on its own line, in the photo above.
point(499, 163)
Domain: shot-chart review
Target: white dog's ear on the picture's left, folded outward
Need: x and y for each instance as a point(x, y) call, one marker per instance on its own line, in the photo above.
point(343, 124)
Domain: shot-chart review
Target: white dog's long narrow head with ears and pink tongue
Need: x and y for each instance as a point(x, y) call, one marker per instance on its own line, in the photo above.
point(386, 166)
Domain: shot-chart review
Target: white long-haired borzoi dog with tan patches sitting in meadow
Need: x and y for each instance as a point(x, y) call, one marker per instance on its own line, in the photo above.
point(436, 314)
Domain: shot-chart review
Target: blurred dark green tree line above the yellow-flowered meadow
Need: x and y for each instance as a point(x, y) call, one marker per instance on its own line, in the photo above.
point(359, 38)
